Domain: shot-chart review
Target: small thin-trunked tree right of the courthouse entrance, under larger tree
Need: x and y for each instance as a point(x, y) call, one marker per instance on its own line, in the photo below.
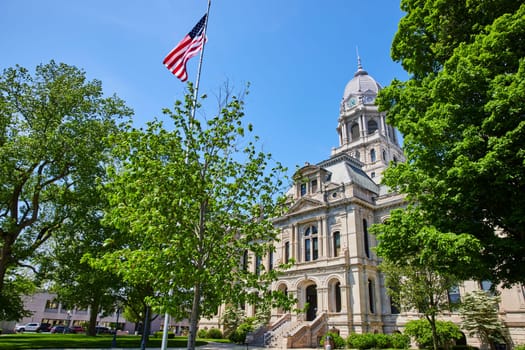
point(421, 264)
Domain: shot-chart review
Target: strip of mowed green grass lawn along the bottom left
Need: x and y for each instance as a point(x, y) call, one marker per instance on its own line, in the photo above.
point(58, 341)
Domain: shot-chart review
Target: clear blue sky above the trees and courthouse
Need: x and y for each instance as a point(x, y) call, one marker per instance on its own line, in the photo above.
point(297, 55)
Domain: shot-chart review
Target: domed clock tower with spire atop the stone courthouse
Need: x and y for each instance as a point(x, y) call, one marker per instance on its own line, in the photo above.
point(362, 129)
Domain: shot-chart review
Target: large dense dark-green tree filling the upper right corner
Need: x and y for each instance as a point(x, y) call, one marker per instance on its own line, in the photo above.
point(461, 114)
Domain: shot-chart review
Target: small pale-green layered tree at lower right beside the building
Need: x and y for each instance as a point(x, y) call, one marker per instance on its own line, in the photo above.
point(479, 313)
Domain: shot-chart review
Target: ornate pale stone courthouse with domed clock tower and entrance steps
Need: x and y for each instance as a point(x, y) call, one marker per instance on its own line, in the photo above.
point(335, 276)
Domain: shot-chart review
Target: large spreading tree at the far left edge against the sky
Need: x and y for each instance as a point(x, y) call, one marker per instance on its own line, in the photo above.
point(53, 126)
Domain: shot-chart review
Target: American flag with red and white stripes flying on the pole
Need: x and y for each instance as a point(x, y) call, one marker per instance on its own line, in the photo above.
point(192, 43)
